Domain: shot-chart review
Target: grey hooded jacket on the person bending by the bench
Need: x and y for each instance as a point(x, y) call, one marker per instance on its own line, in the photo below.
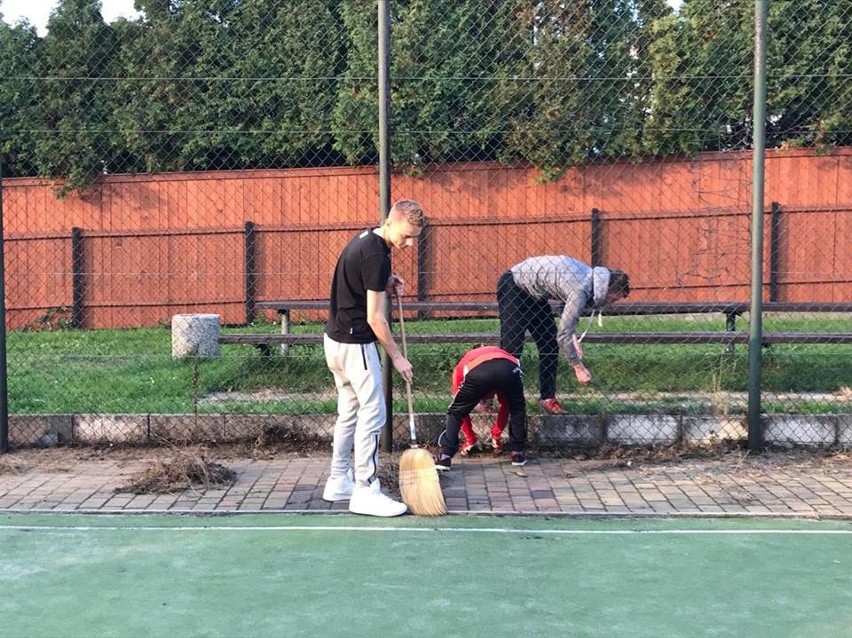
point(568, 280)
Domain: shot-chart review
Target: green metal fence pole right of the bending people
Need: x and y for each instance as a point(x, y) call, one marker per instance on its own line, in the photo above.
point(755, 354)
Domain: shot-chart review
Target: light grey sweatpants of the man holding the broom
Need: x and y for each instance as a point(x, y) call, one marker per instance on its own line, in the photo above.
point(361, 412)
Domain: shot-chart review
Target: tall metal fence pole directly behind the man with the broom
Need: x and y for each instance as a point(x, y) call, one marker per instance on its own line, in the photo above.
point(384, 187)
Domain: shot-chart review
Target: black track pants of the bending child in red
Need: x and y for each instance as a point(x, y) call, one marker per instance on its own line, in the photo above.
point(496, 375)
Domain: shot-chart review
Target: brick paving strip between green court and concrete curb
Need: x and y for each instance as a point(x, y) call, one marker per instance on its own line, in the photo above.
point(483, 484)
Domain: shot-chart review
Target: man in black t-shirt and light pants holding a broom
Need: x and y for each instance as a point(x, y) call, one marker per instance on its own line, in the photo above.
point(357, 320)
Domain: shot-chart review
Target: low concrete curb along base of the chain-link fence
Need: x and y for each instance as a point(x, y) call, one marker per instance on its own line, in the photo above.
point(787, 430)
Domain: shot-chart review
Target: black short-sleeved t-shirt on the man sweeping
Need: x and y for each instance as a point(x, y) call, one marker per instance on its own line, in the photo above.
point(363, 265)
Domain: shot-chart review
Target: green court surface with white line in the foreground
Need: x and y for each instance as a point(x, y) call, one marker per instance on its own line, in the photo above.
point(271, 575)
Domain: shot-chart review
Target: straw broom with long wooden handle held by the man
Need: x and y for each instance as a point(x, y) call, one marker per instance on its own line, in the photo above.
point(418, 478)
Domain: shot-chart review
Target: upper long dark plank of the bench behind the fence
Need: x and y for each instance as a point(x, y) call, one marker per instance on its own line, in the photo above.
point(618, 308)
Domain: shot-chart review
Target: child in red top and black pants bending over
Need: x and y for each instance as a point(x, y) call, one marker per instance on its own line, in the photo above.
point(480, 374)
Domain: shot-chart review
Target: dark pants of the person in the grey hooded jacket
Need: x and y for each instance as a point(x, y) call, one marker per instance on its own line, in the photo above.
point(520, 312)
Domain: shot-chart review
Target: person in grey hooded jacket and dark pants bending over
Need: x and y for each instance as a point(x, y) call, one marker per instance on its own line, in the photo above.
point(523, 297)
